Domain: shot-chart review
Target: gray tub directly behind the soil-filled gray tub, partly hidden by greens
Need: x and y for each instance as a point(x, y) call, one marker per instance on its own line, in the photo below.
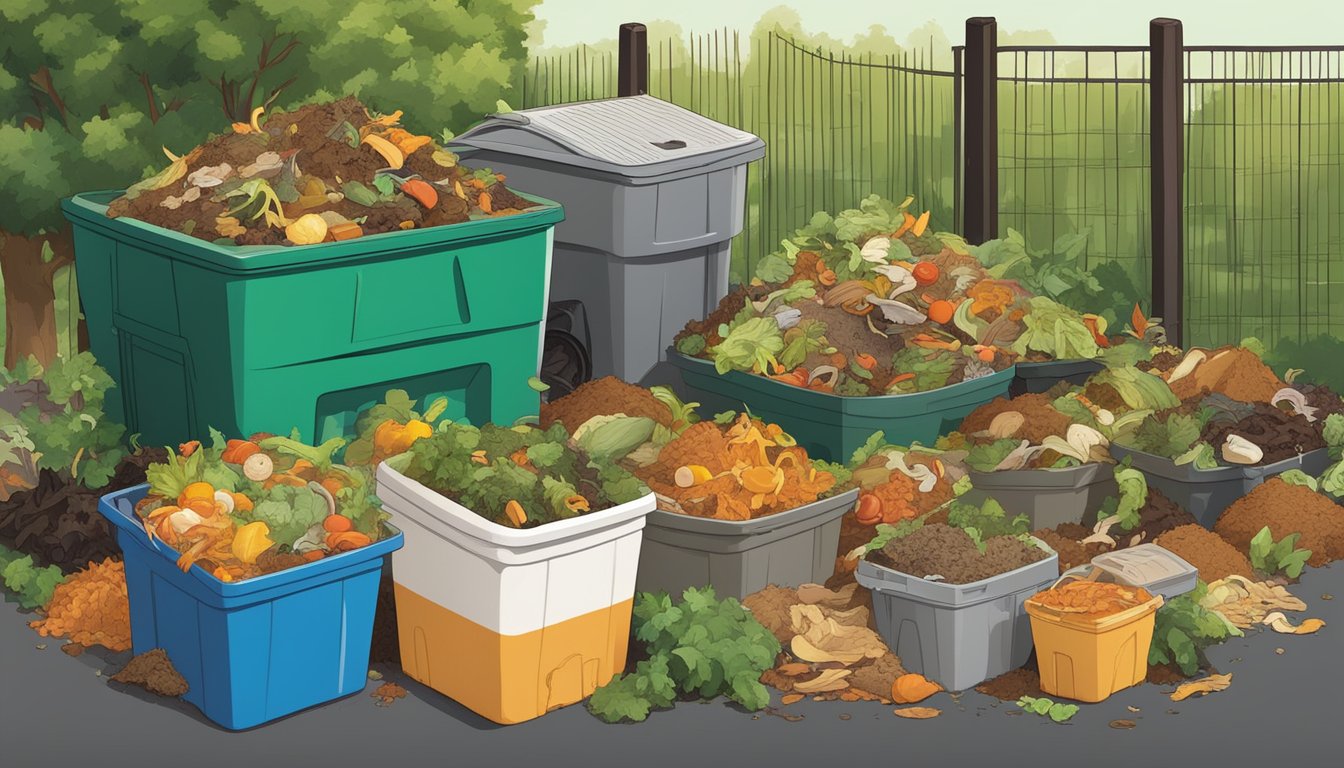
point(1048, 497)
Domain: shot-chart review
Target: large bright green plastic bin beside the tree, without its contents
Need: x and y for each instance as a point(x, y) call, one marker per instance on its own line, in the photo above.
point(274, 338)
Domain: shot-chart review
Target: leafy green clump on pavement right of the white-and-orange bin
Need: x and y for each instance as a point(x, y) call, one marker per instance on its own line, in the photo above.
point(697, 648)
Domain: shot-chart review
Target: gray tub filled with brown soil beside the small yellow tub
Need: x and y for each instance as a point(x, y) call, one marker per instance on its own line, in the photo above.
point(958, 636)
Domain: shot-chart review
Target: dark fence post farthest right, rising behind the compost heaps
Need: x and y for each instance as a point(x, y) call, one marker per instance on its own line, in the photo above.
point(1167, 92)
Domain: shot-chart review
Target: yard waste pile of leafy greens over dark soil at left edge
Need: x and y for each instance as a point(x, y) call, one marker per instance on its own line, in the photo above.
point(58, 455)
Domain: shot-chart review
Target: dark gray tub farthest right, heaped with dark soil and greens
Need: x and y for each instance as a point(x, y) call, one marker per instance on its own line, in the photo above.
point(1208, 493)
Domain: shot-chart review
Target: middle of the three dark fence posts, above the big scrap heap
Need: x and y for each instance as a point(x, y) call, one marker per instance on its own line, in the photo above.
point(982, 130)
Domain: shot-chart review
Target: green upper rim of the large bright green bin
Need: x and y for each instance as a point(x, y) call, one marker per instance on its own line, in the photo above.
point(91, 210)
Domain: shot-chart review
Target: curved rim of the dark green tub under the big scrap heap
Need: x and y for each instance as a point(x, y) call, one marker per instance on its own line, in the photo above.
point(878, 406)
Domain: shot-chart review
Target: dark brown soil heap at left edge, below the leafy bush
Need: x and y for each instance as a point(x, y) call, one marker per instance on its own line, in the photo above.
point(58, 524)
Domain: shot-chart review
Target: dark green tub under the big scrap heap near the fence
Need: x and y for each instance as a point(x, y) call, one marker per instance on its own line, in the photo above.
point(833, 427)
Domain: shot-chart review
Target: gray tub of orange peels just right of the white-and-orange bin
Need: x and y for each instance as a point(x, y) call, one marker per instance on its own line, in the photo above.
point(737, 559)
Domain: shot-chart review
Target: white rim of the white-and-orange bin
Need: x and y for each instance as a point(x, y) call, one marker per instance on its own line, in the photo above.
point(466, 523)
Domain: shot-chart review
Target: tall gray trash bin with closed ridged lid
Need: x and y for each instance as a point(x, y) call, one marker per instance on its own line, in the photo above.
point(653, 196)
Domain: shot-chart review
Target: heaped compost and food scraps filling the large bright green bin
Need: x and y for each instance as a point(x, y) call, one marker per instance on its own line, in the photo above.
point(323, 173)
